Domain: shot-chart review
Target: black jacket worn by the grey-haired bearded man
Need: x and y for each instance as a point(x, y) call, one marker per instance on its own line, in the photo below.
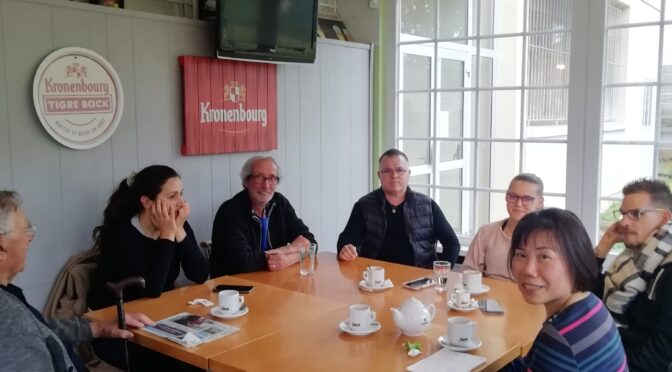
point(236, 234)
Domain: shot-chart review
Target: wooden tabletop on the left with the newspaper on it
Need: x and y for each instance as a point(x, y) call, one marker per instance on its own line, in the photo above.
point(271, 310)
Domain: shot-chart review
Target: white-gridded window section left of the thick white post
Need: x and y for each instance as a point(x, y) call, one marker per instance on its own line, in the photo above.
point(483, 96)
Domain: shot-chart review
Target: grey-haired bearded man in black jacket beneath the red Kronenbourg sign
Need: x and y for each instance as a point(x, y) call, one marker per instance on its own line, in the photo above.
point(258, 228)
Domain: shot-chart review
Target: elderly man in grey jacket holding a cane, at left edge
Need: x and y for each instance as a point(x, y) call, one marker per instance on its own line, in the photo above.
point(28, 342)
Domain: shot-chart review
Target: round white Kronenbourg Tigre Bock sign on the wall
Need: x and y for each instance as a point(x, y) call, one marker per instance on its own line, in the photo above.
point(78, 97)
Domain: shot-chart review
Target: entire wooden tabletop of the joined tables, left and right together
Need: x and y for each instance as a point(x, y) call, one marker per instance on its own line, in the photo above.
point(293, 321)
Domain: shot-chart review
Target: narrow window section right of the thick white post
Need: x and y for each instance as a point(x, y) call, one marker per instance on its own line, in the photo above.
point(637, 119)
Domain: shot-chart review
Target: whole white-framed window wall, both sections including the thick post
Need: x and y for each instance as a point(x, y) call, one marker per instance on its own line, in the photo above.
point(483, 93)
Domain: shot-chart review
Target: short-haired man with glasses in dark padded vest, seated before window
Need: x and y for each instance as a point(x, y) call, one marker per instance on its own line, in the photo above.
point(395, 223)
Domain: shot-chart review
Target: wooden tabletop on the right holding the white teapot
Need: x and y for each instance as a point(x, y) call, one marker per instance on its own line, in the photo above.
point(504, 336)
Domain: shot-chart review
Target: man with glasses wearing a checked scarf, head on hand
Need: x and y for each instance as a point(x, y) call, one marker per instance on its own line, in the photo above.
point(637, 286)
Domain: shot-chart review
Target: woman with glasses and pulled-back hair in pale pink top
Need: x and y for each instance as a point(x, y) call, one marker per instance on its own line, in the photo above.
point(489, 249)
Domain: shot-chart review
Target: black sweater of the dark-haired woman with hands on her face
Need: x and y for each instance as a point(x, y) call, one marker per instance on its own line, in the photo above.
point(126, 252)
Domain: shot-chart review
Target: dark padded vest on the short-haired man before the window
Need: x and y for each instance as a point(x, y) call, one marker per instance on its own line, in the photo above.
point(418, 223)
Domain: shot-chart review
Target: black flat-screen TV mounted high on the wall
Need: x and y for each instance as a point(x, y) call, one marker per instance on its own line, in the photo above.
point(267, 30)
